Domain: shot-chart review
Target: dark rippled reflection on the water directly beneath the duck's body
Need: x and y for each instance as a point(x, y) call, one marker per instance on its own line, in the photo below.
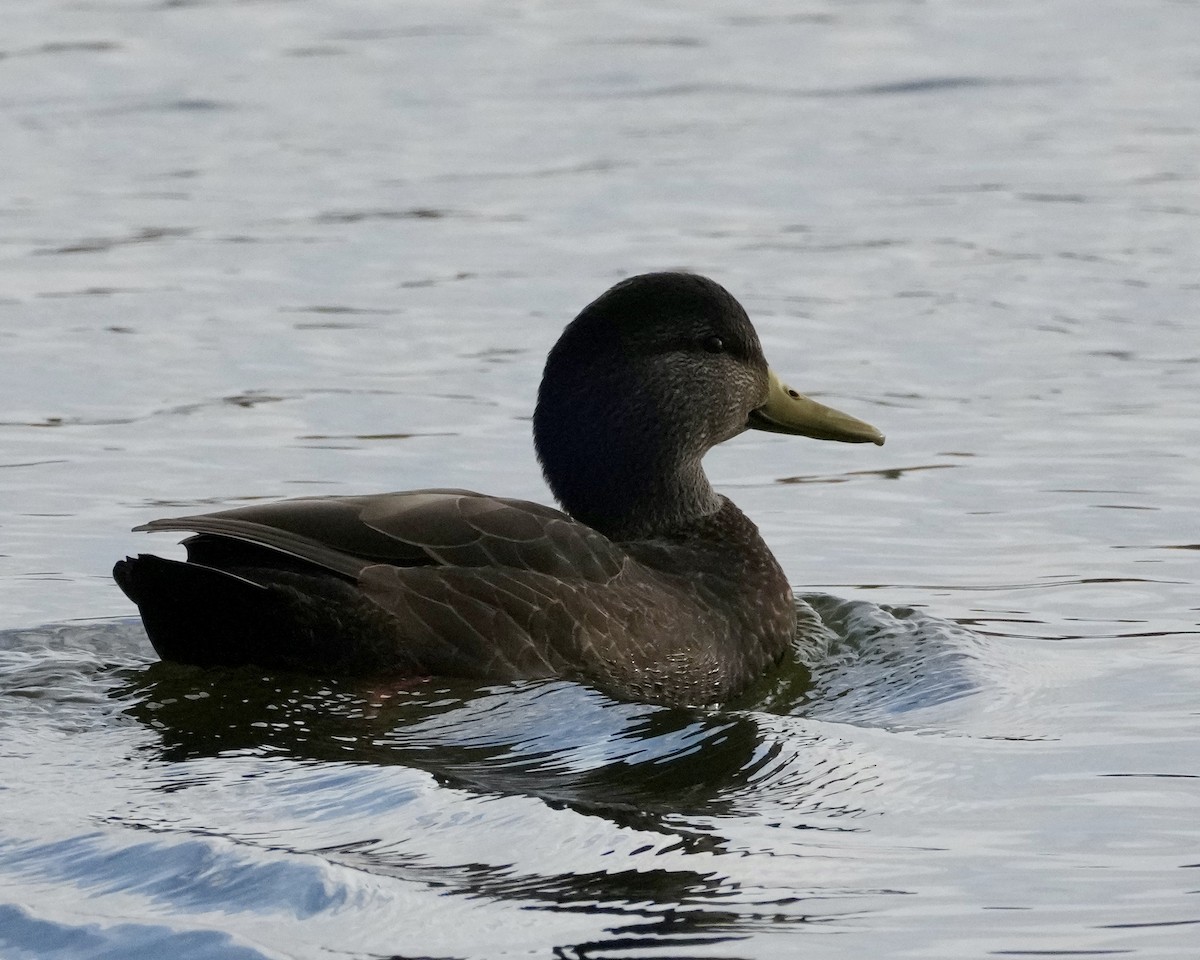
point(561, 742)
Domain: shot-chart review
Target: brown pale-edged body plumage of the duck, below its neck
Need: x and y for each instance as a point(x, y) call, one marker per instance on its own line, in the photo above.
point(460, 584)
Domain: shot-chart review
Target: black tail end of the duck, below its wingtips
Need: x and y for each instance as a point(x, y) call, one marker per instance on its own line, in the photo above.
point(199, 615)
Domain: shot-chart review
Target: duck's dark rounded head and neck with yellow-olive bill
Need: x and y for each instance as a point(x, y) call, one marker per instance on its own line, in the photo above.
point(646, 381)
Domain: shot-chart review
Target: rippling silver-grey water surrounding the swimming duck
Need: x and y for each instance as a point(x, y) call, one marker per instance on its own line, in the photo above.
point(272, 249)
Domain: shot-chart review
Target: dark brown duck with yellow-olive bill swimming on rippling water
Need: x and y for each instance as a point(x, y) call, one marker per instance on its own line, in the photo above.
point(647, 584)
